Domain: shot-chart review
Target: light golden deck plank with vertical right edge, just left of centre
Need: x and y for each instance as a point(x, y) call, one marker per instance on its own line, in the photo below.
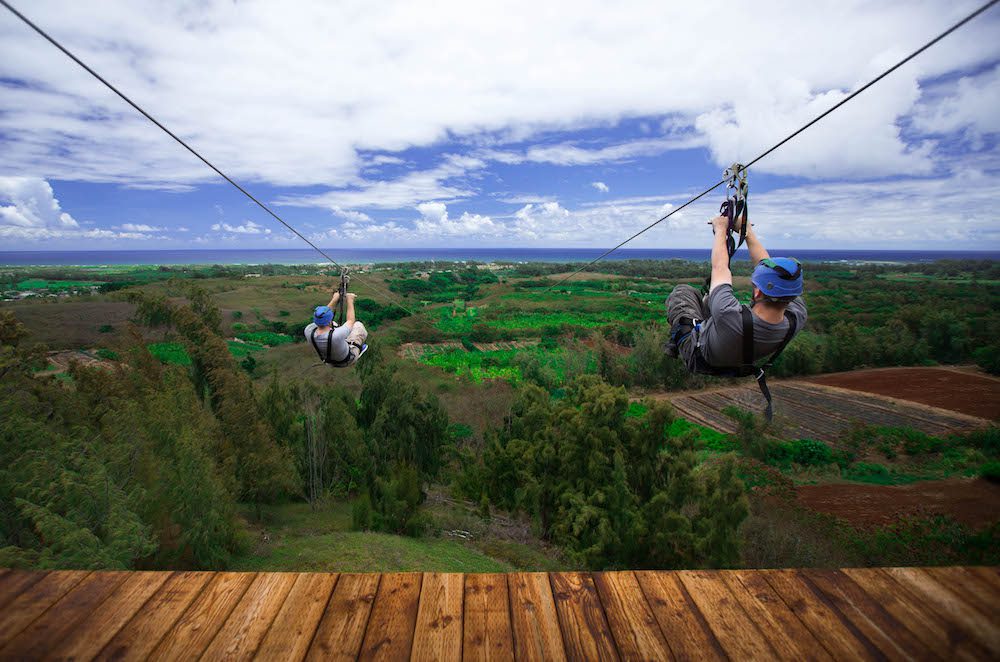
point(438, 634)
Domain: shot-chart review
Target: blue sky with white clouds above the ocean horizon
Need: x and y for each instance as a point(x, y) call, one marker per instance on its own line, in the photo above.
point(451, 124)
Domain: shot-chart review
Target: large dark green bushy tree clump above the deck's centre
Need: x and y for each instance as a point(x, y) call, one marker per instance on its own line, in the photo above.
point(613, 490)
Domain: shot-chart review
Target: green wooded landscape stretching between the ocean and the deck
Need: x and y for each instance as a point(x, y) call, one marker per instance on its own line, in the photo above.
point(200, 421)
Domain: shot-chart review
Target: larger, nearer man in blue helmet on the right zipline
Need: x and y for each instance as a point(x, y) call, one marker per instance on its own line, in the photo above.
point(708, 334)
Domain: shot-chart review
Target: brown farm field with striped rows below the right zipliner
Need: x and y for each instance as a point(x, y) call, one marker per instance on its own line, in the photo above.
point(809, 411)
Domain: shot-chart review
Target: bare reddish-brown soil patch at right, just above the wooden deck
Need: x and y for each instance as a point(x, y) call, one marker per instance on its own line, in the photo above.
point(973, 502)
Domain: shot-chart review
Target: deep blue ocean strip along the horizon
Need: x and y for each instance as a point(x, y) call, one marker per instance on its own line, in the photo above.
point(375, 255)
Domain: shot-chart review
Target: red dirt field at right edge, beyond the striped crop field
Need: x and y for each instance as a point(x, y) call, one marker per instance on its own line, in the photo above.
point(965, 392)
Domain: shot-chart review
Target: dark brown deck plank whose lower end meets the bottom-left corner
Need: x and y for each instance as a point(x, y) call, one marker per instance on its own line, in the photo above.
point(51, 627)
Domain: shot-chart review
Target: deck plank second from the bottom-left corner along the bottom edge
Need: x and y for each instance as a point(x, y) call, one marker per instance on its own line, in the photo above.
point(93, 633)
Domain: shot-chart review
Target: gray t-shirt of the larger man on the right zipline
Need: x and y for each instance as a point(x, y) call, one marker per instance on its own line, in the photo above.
point(722, 335)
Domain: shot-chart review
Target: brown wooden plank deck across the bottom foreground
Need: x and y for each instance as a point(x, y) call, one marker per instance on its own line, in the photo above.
point(895, 613)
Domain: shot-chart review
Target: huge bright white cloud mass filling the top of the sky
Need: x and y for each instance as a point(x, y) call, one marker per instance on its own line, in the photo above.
point(330, 80)
